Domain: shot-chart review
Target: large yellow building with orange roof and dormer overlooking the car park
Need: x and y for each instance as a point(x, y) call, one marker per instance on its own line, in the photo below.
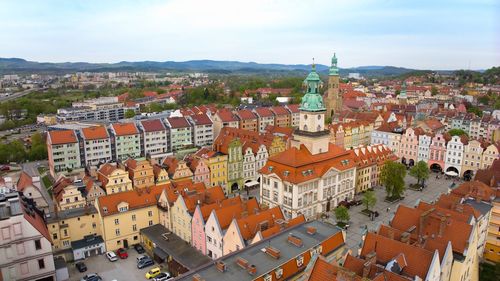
point(123, 214)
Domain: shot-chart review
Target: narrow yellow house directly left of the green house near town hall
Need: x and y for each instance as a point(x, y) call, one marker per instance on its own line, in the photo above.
point(217, 163)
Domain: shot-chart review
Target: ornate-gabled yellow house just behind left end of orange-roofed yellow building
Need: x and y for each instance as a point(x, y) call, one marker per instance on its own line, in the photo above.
point(114, 179)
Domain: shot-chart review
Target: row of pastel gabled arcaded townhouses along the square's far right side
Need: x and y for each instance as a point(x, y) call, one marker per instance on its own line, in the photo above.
point(453, 155)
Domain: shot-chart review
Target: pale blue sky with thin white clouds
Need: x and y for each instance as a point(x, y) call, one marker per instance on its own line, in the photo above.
point(421, 34)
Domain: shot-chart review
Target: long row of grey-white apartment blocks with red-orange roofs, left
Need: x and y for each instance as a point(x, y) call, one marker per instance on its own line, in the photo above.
point(155, 138)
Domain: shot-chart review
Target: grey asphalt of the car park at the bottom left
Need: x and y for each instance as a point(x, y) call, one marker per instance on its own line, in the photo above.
point(120, 270)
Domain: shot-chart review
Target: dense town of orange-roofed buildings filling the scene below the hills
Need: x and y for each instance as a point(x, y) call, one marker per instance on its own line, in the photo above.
point(256, 192)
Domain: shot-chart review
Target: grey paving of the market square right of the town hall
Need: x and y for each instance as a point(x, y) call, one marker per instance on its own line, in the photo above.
point(359, 222)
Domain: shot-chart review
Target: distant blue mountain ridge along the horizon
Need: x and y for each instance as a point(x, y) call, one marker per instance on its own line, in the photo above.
point(18, 65)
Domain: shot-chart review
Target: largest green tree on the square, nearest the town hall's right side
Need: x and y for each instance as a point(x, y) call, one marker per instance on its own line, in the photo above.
point(392, 176)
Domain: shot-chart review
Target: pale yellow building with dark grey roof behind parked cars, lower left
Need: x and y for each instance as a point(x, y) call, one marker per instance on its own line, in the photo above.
point(71, 225)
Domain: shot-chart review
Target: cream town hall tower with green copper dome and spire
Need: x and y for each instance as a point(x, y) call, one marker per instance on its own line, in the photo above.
point(311, 131)
